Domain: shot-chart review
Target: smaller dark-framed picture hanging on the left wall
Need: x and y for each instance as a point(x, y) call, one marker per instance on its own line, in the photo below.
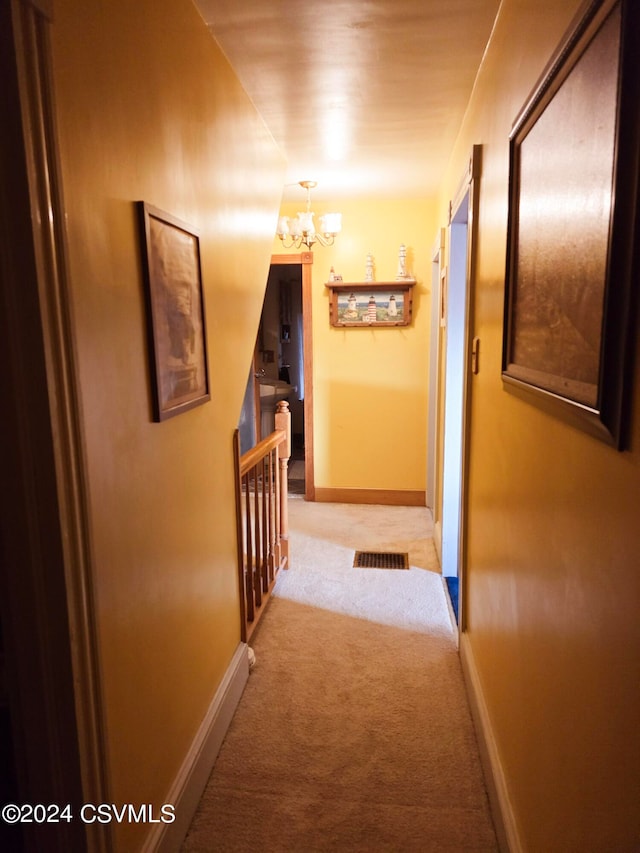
point(175, 313)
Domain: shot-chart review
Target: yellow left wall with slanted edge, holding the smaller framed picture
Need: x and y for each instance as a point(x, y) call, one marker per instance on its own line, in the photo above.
point(149, 109)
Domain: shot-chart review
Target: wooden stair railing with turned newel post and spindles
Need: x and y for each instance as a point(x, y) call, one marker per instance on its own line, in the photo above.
point(262, 517)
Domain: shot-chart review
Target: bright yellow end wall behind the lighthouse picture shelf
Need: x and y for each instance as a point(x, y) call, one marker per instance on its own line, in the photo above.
point(371, 385)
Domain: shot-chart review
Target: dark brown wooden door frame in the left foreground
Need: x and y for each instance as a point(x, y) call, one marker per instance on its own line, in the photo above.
point(47, 601)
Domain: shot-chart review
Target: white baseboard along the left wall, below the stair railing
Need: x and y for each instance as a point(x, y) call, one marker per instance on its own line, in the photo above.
point(187, 788)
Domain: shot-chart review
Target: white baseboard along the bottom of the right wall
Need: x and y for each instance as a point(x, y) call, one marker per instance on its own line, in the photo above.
point(503, 815)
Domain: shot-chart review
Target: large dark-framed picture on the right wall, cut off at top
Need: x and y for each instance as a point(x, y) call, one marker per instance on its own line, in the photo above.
point(572, 226)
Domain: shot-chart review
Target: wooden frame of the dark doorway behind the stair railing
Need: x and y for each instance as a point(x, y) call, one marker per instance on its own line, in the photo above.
point(305, 260)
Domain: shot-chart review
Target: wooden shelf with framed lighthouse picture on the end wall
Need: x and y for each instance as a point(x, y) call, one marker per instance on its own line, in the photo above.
point(378, 304)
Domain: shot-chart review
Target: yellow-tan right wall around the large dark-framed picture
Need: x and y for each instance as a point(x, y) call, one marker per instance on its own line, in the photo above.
point(554, 538)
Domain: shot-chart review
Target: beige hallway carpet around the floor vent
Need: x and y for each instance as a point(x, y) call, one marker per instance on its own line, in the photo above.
point(353, 733)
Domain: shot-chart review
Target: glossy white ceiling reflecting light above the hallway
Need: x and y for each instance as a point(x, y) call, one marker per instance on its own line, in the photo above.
point(364, 97)
